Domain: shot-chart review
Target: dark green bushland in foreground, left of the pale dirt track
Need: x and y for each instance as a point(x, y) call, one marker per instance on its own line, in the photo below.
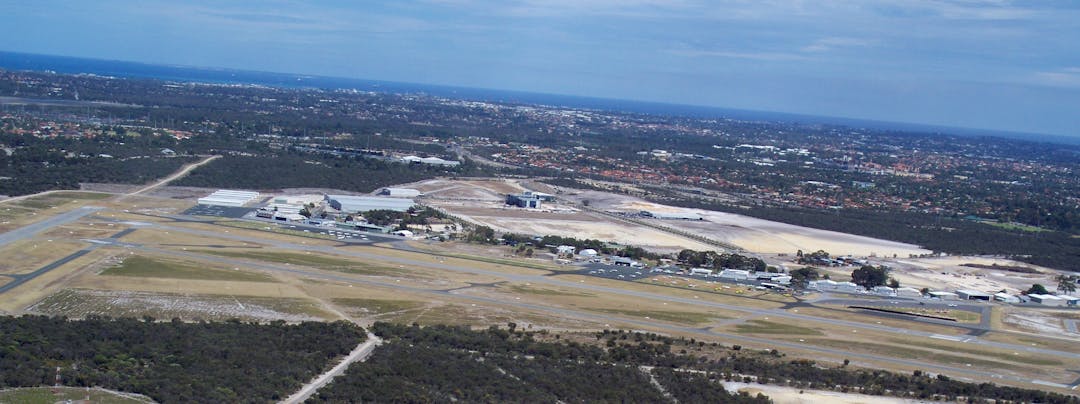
point(172, 362)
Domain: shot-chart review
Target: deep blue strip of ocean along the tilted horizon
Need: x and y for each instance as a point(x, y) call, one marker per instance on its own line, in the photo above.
point(13, 61)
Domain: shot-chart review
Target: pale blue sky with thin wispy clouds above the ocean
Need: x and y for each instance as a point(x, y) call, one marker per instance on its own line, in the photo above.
point(985, 64)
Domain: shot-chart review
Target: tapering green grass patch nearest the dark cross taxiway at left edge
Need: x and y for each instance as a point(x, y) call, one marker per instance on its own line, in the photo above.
point(140, 266)
